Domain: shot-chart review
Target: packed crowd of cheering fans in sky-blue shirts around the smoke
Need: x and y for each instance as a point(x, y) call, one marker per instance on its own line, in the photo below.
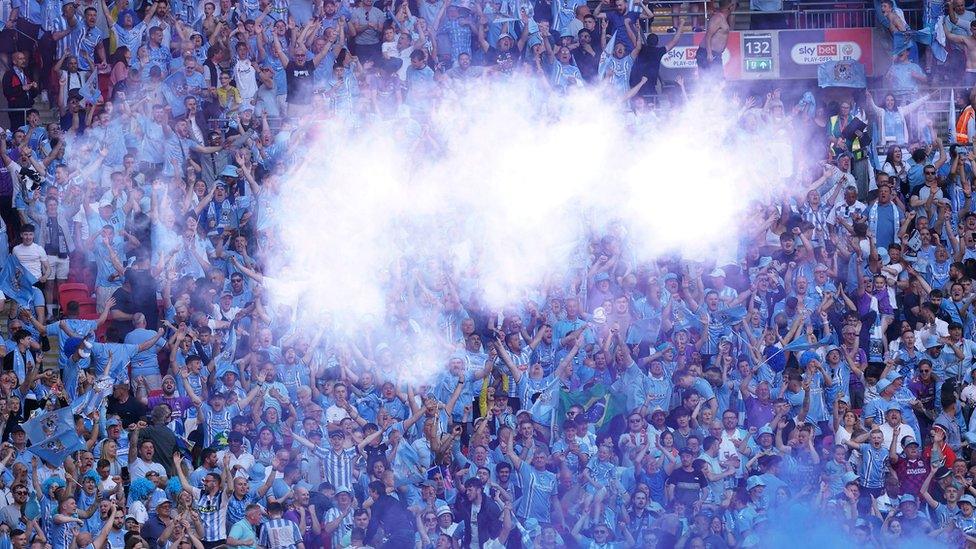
point(822, 379)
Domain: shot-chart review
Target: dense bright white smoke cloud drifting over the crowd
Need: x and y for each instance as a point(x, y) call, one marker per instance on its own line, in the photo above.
point(504, 187)
